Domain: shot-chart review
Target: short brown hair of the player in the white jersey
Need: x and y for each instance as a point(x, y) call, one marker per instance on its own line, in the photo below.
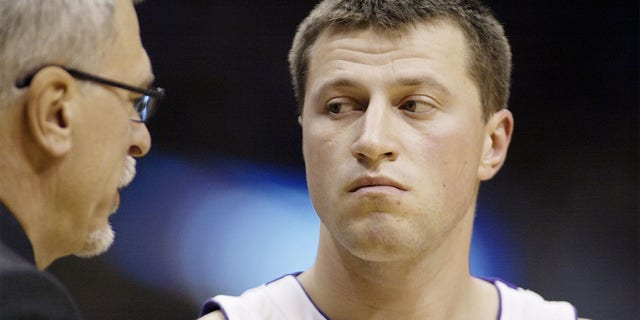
point(489, 62)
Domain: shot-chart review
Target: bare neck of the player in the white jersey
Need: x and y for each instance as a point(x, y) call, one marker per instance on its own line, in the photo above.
point(436, 285)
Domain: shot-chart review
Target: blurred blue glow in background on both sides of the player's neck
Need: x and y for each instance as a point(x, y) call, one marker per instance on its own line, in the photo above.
point(215, 226)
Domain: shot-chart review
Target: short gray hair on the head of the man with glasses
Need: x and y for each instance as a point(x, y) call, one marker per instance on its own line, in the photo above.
point(35, 33)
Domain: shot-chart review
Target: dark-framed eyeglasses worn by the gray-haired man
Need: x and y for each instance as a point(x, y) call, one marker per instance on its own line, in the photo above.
point(145, 105)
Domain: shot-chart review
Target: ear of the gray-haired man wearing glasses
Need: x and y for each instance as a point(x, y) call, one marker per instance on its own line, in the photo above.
point(49, 111)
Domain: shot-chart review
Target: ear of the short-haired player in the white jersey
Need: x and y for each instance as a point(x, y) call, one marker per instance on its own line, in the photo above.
point(498, 132)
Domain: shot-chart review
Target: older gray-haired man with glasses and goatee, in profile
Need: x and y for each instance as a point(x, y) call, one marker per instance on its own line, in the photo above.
point(73, 101)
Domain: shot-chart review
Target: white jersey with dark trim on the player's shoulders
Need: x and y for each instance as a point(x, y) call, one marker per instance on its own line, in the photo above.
point(285, 299)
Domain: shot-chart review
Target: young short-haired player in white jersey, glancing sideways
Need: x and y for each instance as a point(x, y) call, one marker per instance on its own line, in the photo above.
point(403, 114)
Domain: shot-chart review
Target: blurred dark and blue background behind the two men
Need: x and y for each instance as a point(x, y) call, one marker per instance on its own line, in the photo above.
point(220, 203)
